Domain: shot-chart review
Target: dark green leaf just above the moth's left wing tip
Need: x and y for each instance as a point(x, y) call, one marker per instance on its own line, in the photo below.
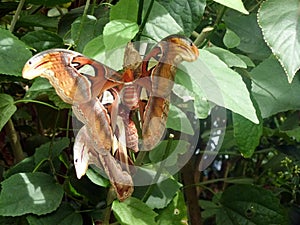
point(42, 40)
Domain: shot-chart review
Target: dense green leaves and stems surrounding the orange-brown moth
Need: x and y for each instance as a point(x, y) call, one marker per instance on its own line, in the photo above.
point(248, 64)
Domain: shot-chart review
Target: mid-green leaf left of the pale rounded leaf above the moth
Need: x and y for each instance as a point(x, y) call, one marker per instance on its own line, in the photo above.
point(82, 31)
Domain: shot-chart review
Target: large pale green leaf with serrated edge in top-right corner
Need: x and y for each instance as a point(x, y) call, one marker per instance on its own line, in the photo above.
point(280, 26)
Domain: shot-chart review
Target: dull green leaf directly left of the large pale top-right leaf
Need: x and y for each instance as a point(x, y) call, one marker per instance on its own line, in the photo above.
point(251, 38)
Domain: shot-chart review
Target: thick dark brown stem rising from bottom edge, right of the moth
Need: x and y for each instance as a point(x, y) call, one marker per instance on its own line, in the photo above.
point(190, 192)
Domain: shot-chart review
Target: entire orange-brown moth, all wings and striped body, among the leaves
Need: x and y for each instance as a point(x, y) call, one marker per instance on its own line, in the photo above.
point(105, 126)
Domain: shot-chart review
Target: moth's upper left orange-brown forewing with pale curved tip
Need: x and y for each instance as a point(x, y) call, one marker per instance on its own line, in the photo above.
point(61, 68)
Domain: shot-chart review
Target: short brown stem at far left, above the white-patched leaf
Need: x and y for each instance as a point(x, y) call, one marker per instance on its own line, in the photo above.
point(14, 141)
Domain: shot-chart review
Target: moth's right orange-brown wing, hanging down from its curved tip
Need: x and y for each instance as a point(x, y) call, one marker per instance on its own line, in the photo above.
point(170, 52)
